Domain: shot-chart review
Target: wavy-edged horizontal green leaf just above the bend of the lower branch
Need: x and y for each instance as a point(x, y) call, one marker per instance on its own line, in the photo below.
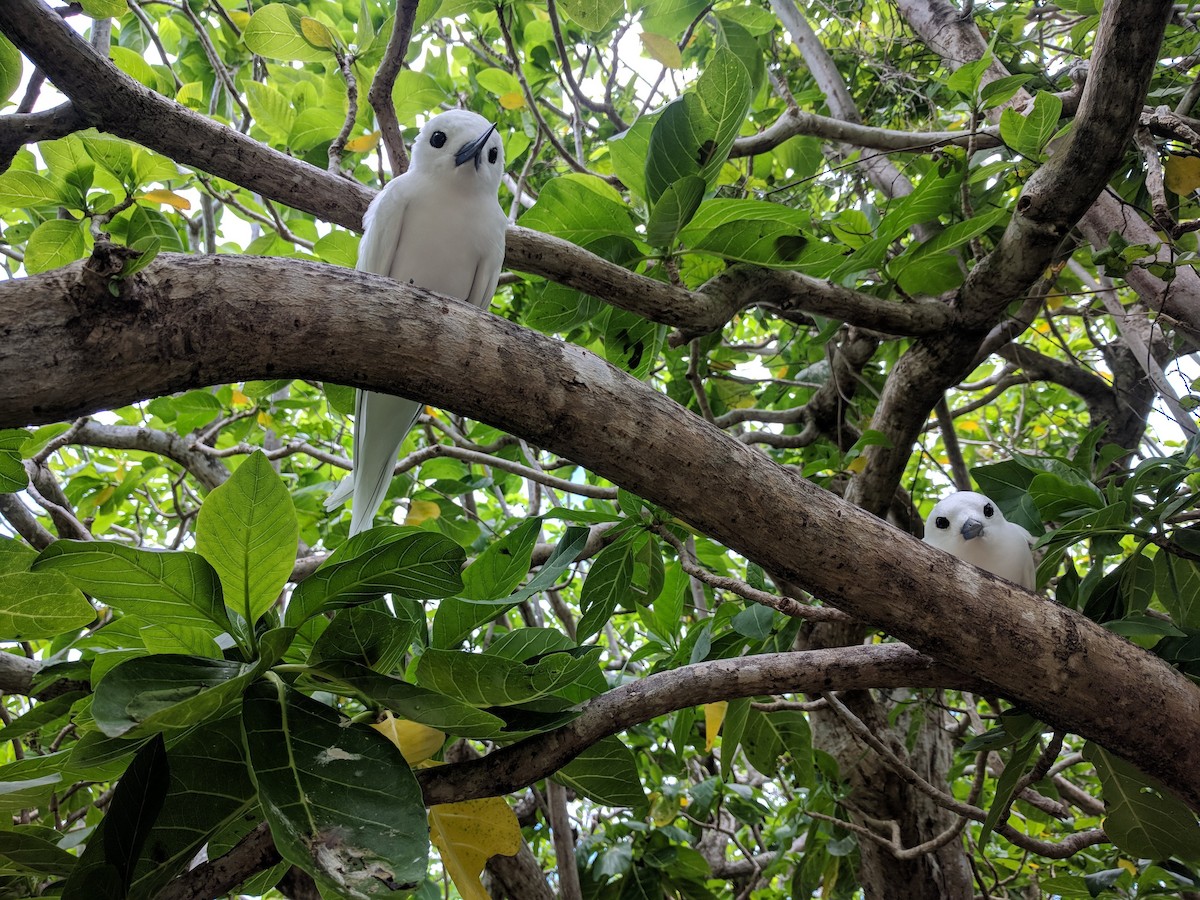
point(485, 681)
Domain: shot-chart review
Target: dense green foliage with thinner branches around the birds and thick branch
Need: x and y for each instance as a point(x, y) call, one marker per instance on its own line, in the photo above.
point(207, 647)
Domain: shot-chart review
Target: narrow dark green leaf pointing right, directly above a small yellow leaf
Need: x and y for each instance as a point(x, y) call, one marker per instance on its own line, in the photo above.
point(406, 700)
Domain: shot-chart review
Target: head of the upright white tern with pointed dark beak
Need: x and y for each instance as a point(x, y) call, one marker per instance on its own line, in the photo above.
point(460, 146)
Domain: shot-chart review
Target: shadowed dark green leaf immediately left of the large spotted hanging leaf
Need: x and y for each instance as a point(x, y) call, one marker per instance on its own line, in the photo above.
point(209, 789)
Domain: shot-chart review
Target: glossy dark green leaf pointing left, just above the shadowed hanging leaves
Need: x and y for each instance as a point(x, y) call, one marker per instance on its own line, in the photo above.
point(152, 694)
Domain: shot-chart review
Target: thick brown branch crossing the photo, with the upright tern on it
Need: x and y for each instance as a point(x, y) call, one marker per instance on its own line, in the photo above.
point(71, 350)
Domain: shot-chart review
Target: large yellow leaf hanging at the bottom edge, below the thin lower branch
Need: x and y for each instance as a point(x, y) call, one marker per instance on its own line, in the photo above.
point(469, 835)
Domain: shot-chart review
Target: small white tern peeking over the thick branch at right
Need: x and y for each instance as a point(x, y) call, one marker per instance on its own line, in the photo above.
point(971, 527)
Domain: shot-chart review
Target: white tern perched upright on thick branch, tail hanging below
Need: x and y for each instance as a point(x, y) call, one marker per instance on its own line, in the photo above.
point(440, 226)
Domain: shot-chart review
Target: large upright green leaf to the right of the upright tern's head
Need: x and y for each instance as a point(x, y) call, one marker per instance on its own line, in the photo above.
point(695, 133)
